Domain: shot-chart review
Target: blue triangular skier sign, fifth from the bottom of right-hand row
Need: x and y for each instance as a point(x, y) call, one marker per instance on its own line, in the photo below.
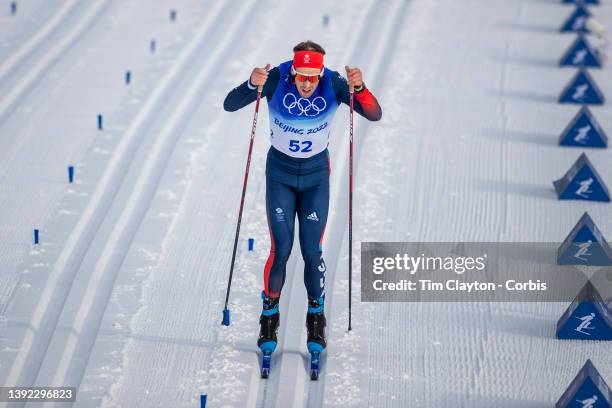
point(584, 131)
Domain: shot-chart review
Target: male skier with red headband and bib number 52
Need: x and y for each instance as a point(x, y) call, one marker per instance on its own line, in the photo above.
point(303, 96)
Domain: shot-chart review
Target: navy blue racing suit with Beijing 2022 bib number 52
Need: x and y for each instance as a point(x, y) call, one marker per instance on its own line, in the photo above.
point(298, 167)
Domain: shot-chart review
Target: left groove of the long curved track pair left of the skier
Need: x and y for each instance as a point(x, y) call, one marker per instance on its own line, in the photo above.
point(44, 320)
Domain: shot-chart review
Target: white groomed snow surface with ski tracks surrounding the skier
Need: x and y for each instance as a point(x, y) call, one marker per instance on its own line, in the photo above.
point(123, 297)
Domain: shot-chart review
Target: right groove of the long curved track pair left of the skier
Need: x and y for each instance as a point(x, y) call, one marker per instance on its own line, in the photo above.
point(100, 287)
